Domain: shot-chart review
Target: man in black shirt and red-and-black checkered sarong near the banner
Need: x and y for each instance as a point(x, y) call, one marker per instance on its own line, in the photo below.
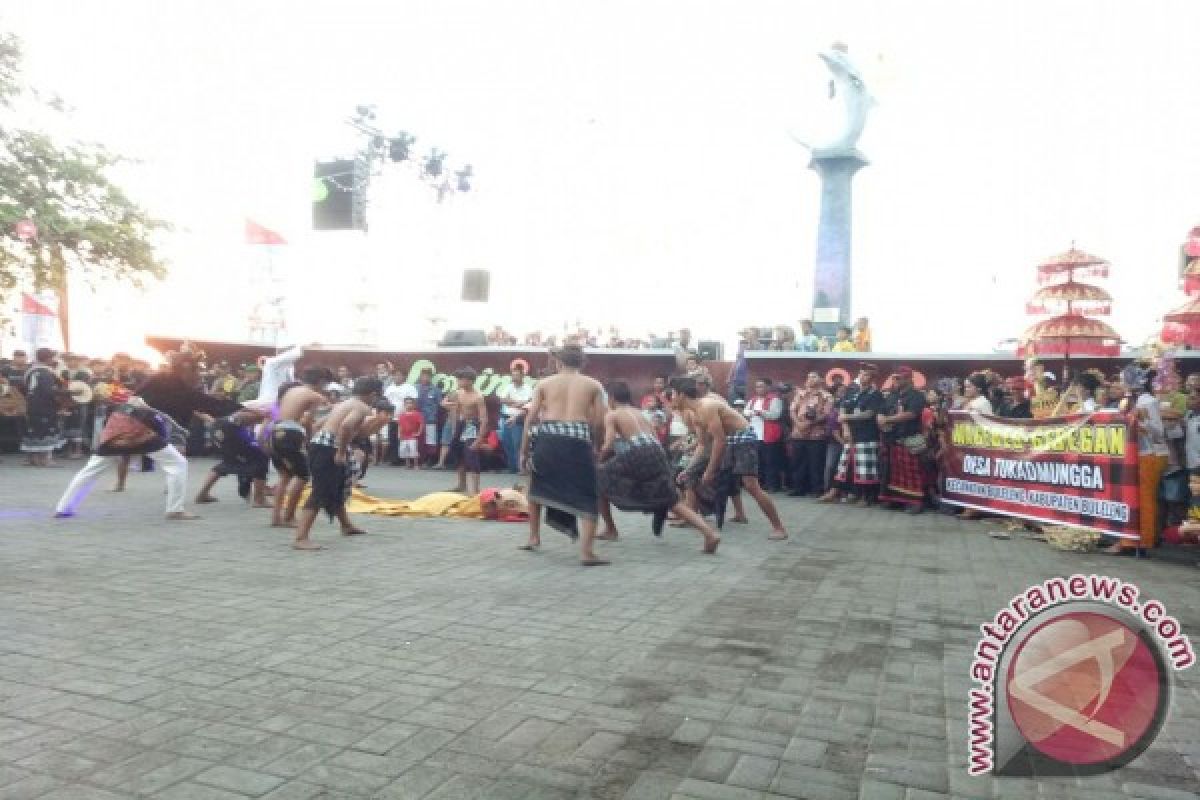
point(907, 476)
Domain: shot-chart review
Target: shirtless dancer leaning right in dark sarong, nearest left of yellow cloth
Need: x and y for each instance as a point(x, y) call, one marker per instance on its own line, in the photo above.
point(332, 472)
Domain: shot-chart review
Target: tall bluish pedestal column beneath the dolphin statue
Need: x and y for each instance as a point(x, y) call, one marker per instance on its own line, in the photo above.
point(833, 284)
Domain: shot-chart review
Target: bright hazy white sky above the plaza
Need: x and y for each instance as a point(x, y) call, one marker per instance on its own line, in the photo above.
point(633, 159)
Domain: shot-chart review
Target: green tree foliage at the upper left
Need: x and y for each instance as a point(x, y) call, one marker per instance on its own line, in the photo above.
point(82, 218)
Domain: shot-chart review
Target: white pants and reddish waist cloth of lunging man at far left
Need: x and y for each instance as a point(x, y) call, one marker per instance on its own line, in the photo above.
point(139, 431)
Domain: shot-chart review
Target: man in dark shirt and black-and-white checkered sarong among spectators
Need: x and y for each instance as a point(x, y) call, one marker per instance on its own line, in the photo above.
point(859, 472)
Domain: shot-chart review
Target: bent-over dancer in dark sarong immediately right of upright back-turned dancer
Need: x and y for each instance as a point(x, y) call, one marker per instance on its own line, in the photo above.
point(638, 474)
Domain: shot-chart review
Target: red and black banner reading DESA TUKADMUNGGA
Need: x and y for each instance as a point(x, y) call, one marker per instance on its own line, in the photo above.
point(1076, 471)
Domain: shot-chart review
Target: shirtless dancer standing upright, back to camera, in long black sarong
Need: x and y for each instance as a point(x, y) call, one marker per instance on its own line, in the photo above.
point(565, 410)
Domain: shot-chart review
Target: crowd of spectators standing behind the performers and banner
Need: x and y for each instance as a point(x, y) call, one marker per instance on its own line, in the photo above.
point(803, 431)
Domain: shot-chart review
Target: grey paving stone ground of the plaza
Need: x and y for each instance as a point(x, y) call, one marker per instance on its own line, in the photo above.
point(431, 659)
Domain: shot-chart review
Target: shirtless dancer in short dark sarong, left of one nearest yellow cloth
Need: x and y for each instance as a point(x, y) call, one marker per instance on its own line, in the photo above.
point(290, 438)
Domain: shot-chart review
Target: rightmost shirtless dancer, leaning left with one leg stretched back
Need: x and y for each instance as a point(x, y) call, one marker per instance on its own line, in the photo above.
point(734, 446)
